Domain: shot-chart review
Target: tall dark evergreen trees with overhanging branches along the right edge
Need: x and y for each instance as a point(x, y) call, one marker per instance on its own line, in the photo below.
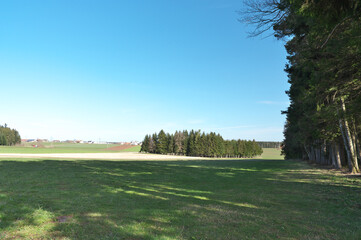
point(323, 42)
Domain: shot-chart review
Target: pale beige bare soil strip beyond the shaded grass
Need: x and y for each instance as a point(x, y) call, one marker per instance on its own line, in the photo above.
point(114, 156)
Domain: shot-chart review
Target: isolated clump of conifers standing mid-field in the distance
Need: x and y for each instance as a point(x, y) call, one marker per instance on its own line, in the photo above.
point(197, 144)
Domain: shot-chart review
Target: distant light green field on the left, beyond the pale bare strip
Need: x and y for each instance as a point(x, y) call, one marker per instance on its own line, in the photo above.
point(64, 148)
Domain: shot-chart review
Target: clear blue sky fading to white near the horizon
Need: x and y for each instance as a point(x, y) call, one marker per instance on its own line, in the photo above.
point(117, 70)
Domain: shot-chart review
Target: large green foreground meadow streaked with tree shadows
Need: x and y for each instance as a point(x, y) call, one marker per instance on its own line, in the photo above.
point(240, 199)
